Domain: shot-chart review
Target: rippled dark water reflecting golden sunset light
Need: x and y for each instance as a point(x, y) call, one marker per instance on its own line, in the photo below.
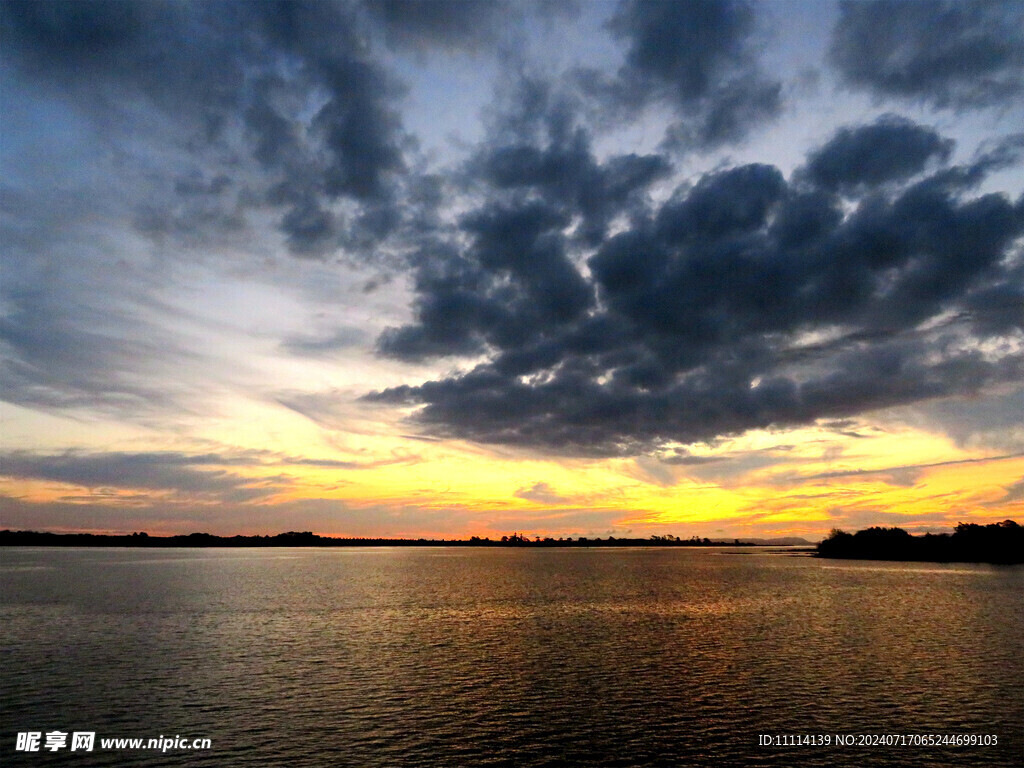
point(402, 657)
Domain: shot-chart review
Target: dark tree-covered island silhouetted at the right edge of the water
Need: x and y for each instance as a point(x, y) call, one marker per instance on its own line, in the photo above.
point(1001, 543)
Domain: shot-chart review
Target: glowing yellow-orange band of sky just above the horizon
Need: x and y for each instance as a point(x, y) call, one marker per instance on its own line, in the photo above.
point(800, 482)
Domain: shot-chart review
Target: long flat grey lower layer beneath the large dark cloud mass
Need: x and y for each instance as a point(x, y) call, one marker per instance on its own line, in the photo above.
point(579, 415)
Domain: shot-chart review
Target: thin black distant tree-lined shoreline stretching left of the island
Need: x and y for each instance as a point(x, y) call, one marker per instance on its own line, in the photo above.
point(308, 539)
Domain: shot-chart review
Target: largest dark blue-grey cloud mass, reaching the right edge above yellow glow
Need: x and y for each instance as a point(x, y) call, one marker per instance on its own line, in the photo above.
point(743, 302)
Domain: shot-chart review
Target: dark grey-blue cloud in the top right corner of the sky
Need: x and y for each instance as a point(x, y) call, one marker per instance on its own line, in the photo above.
point(959, 55)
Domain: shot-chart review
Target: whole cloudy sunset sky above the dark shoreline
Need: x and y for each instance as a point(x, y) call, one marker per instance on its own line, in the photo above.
point(715, 269)
